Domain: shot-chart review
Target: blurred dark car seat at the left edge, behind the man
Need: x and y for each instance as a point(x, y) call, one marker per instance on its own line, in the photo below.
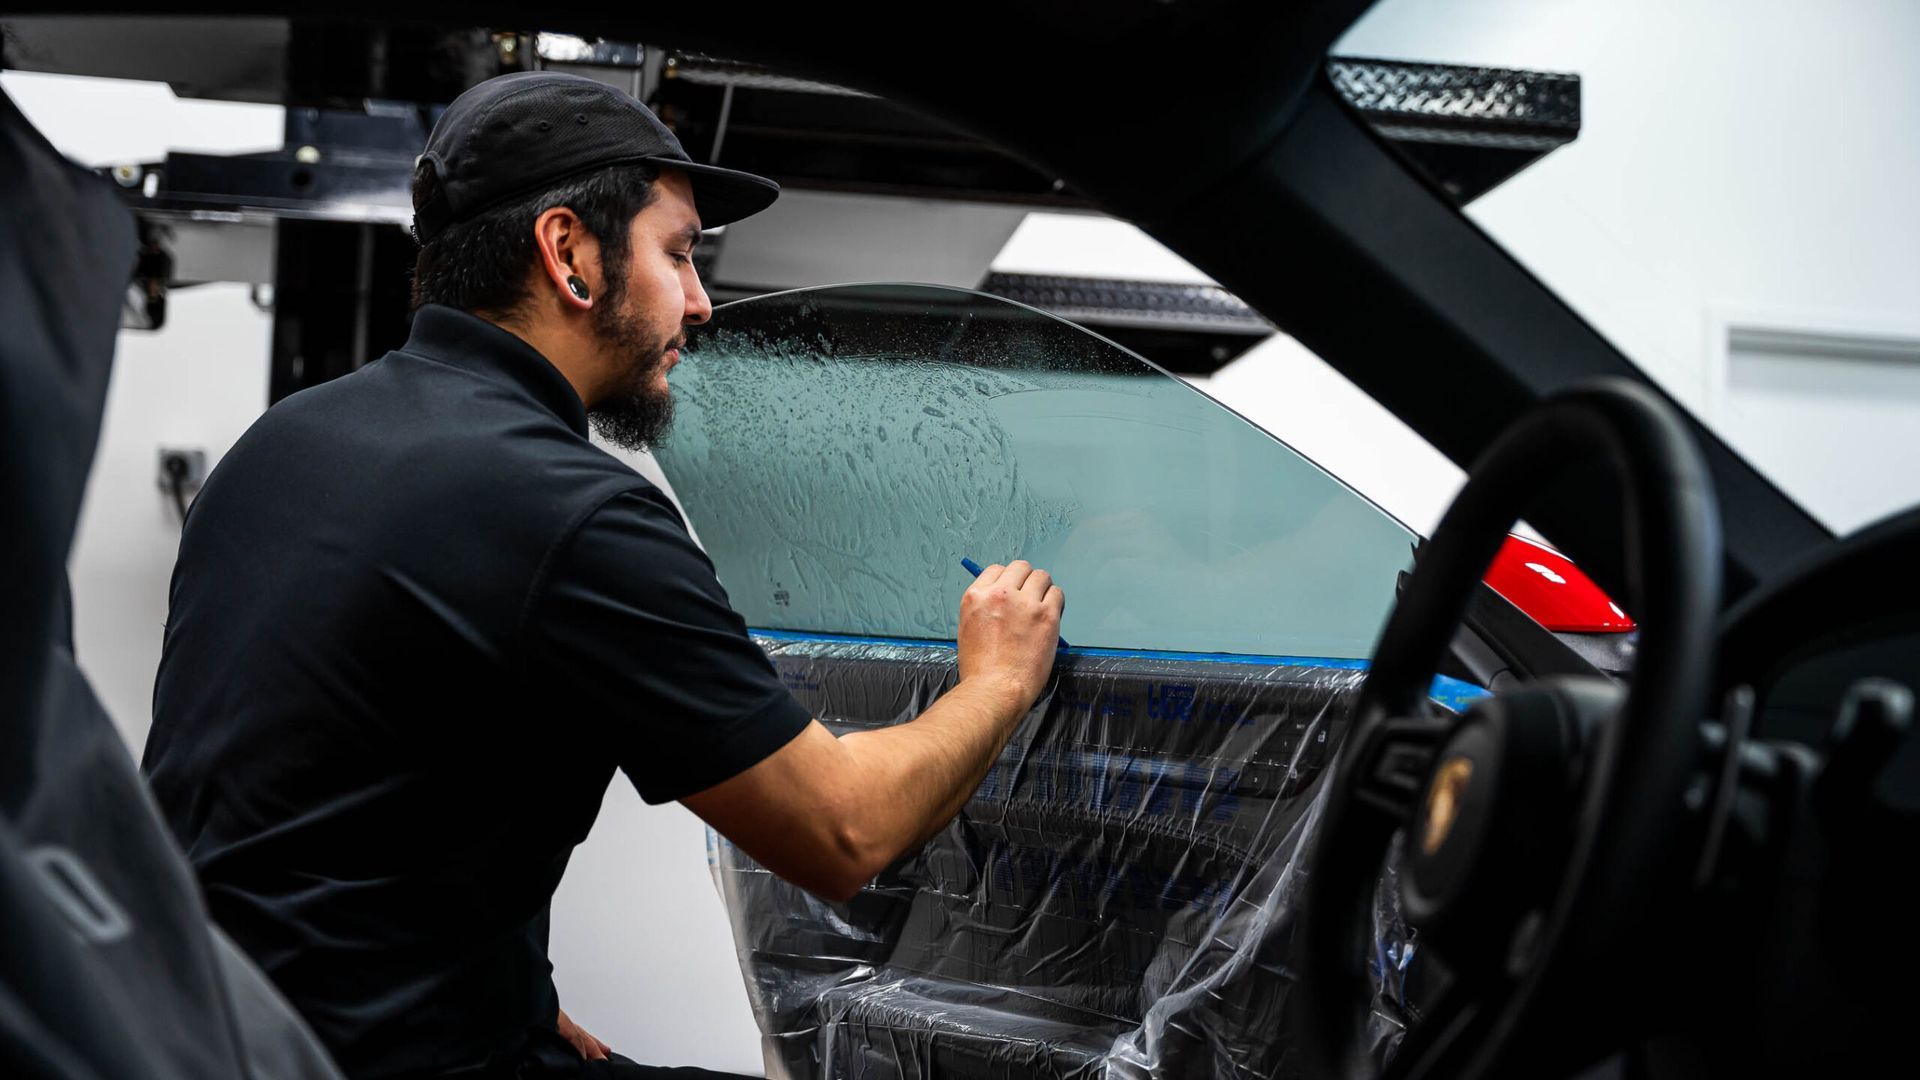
point(110, 968)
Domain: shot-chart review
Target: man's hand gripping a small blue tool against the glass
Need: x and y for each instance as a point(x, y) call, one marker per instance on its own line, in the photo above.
point(1011, 629)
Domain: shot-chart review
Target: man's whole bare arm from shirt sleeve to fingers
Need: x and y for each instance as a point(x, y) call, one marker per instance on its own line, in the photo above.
point(828, 814)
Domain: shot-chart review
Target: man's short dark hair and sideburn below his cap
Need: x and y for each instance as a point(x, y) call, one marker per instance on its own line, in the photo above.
point(481, 264)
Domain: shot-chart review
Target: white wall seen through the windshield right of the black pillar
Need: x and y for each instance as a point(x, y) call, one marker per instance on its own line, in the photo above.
point(1735, 214)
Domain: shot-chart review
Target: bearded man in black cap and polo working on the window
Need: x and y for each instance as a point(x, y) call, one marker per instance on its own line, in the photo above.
point(420, 620)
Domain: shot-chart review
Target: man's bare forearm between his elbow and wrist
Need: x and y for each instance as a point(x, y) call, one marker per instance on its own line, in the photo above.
point(917, 777)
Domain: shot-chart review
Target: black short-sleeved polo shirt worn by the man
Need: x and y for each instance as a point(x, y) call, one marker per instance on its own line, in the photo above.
point(418, 622)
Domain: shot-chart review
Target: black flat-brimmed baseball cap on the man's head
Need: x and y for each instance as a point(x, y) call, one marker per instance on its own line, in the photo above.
point(521, 134)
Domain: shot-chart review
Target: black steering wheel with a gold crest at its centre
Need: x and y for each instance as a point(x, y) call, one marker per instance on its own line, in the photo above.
point(1543, 829)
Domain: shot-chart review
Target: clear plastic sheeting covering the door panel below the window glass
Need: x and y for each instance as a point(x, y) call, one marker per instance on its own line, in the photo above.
point(1116, 900)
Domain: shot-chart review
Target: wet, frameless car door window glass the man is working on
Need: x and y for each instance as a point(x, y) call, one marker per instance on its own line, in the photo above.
point(842, 451)
